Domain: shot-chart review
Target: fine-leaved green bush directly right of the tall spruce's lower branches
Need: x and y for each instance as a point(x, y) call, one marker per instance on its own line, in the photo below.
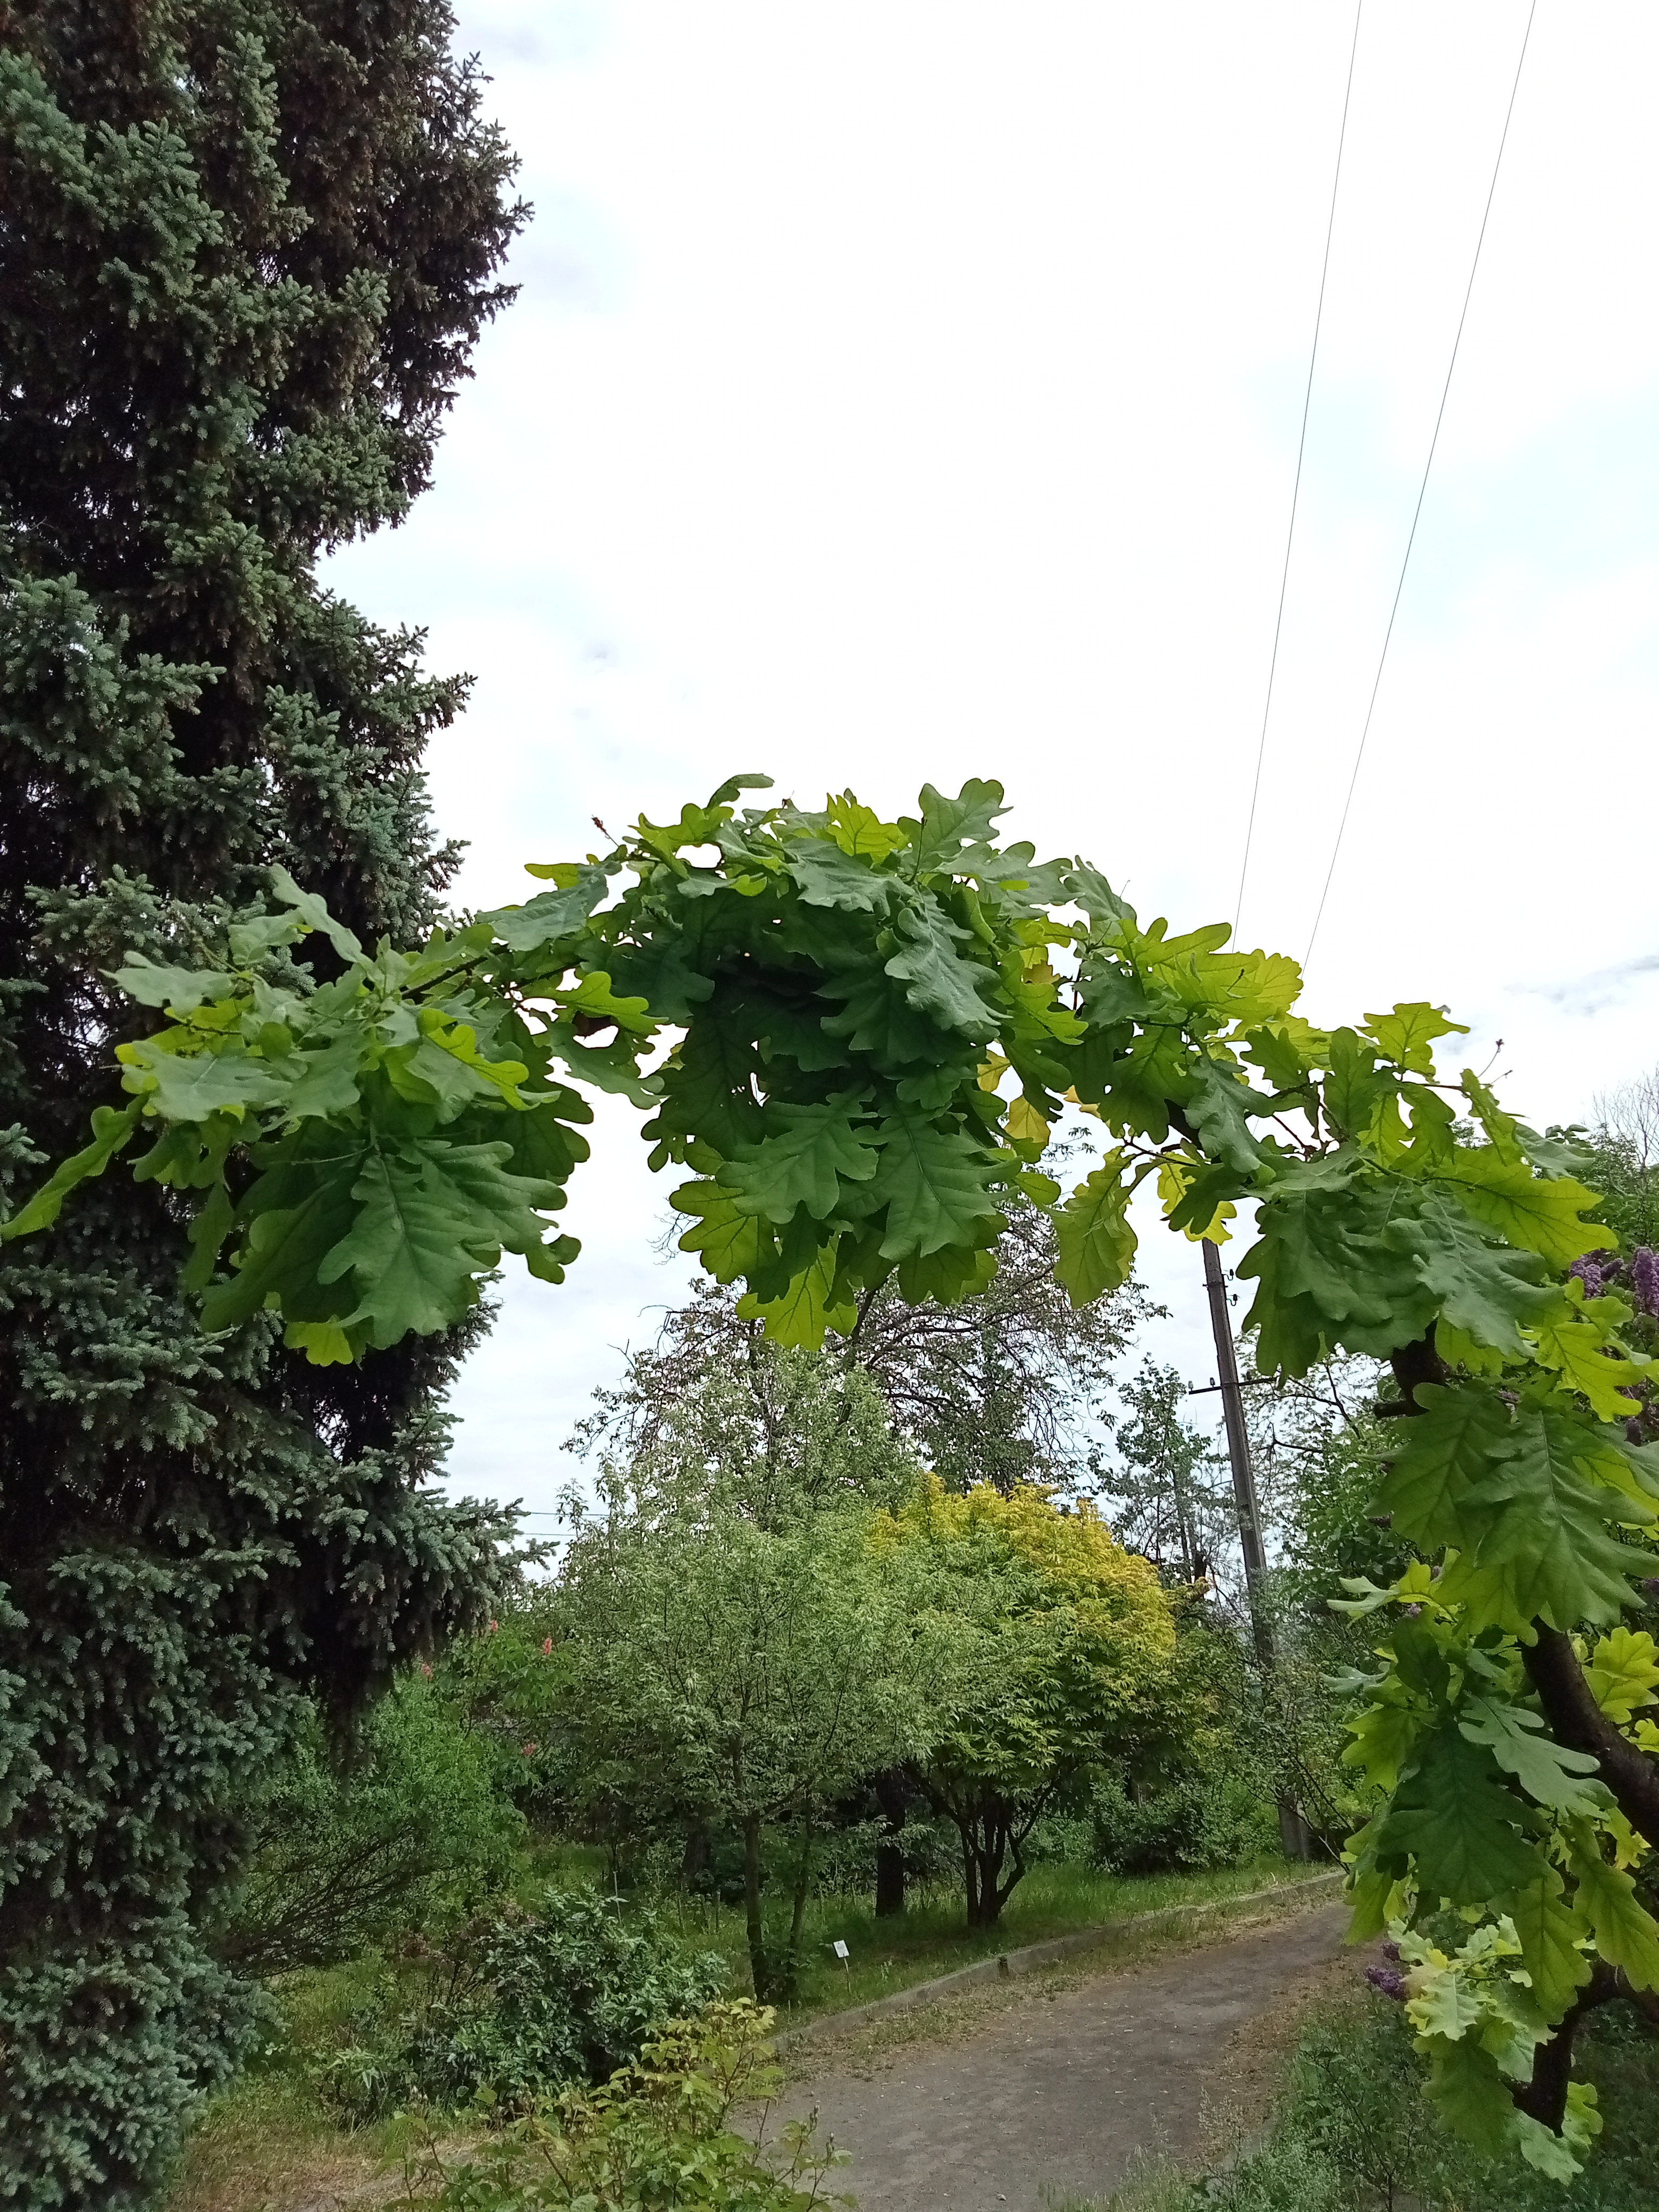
point(408, 1835)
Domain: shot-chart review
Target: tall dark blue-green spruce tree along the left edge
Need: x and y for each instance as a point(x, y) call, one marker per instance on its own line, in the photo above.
point(247, 249)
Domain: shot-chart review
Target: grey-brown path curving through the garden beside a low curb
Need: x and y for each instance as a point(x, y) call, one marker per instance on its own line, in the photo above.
point(1056, 2091)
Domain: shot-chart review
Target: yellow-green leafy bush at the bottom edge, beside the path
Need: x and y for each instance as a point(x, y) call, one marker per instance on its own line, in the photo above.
point(658, 2136)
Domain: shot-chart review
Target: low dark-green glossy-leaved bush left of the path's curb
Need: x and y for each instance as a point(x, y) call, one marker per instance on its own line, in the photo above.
point(530, 2003)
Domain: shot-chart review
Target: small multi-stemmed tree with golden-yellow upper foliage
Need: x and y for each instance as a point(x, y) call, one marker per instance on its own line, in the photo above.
point(1067, 1640)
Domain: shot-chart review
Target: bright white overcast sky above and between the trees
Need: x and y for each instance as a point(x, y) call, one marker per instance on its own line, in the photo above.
point(910, 390)
